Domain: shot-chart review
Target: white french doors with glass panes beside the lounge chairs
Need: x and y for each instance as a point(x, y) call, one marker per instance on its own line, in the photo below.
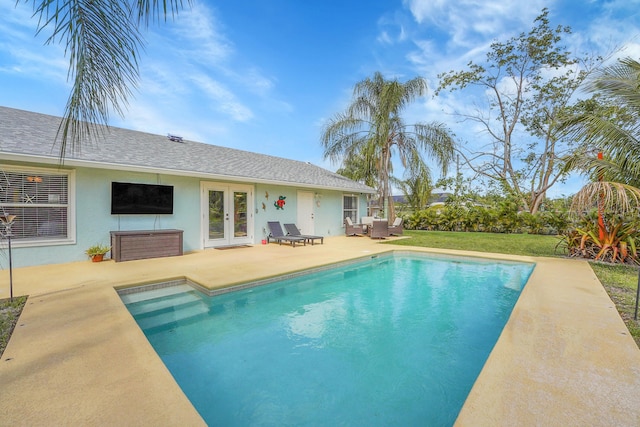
point(227, 214)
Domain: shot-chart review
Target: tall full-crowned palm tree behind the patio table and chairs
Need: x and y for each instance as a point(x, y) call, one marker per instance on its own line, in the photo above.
point(372, 129)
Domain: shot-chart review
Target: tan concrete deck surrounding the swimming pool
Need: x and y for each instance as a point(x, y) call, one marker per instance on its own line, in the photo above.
point(77, 357)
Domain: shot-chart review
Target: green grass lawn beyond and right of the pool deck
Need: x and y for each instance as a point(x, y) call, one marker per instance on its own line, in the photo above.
point(620, 281)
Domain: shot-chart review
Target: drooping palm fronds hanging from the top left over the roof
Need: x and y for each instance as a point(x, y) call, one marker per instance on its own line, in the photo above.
point(103, 41)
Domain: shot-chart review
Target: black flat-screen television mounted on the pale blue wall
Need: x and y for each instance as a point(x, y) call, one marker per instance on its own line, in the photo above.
point(135, 199)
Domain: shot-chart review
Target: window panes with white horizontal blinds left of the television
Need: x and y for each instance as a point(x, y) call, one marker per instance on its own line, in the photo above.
point(40, 200)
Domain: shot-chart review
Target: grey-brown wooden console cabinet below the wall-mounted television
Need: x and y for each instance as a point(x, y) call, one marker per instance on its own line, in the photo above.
point(142, 244)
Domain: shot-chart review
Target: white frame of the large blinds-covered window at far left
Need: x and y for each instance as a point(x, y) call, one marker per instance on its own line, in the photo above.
point(70, 238)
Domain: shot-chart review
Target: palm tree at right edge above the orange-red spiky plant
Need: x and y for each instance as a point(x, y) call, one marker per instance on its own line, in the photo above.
point(610, 129)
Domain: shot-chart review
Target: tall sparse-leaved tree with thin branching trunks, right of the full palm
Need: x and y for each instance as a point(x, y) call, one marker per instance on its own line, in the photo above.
point(527, 81)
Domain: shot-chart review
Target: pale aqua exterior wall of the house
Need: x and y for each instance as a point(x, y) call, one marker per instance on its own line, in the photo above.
point(93, 219)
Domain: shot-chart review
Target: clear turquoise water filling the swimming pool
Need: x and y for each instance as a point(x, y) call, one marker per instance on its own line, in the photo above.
point(396, 340)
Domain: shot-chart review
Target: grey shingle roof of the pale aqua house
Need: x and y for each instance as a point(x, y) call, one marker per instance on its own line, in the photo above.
point(29, 136)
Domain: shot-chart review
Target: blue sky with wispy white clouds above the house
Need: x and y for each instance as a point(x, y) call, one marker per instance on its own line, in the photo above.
point(264, 76)
